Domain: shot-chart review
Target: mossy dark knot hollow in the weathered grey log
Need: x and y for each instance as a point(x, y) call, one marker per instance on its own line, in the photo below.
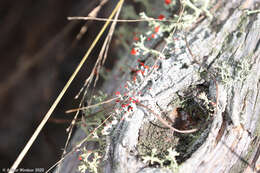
point(153, 135)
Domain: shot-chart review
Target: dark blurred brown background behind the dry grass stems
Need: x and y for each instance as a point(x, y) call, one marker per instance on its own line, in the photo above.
point(39, 52)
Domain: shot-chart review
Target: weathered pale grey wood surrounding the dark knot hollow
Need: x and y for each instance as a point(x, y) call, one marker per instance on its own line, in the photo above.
point(233, 37)
